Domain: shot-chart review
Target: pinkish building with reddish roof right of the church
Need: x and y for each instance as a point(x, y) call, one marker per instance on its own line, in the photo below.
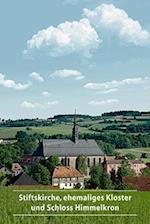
point(136, 165)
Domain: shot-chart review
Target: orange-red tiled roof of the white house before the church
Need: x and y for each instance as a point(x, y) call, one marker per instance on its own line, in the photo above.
point(63, 171)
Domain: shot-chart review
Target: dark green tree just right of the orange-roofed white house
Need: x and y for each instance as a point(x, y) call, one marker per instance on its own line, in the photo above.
point(96, 173)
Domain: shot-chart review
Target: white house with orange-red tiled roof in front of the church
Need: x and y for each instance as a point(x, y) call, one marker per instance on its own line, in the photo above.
point(67, 177)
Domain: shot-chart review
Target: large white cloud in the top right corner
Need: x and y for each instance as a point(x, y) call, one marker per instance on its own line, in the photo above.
point(117, 20)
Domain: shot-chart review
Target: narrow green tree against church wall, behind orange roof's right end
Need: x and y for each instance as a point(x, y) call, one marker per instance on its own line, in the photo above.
point(81, 164)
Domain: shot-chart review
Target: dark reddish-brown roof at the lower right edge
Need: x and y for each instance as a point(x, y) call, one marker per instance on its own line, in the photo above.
point(139, 183)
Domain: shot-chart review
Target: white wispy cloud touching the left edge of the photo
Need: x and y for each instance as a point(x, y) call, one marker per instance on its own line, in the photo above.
point(12, 84)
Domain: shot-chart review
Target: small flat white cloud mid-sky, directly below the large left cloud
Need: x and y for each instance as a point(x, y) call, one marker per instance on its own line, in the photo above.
point(66, 73)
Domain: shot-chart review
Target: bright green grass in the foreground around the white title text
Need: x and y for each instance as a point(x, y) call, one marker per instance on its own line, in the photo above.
point(9, 204)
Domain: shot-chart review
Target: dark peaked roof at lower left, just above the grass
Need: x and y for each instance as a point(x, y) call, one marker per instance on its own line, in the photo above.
point(22, 179)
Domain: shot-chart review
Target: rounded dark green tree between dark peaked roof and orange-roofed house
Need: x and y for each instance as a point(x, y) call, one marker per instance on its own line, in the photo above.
point(41, 174)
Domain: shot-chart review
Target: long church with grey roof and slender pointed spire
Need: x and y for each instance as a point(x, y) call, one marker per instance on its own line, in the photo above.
point(69, 149)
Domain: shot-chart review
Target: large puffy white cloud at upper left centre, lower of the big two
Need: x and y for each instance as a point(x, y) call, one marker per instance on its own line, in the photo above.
point(66, 38)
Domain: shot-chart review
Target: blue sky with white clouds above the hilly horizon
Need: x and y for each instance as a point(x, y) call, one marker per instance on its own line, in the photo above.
point(55, 56)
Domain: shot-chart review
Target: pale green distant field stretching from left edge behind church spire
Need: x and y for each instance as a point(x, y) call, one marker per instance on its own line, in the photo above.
point(64, 129)
